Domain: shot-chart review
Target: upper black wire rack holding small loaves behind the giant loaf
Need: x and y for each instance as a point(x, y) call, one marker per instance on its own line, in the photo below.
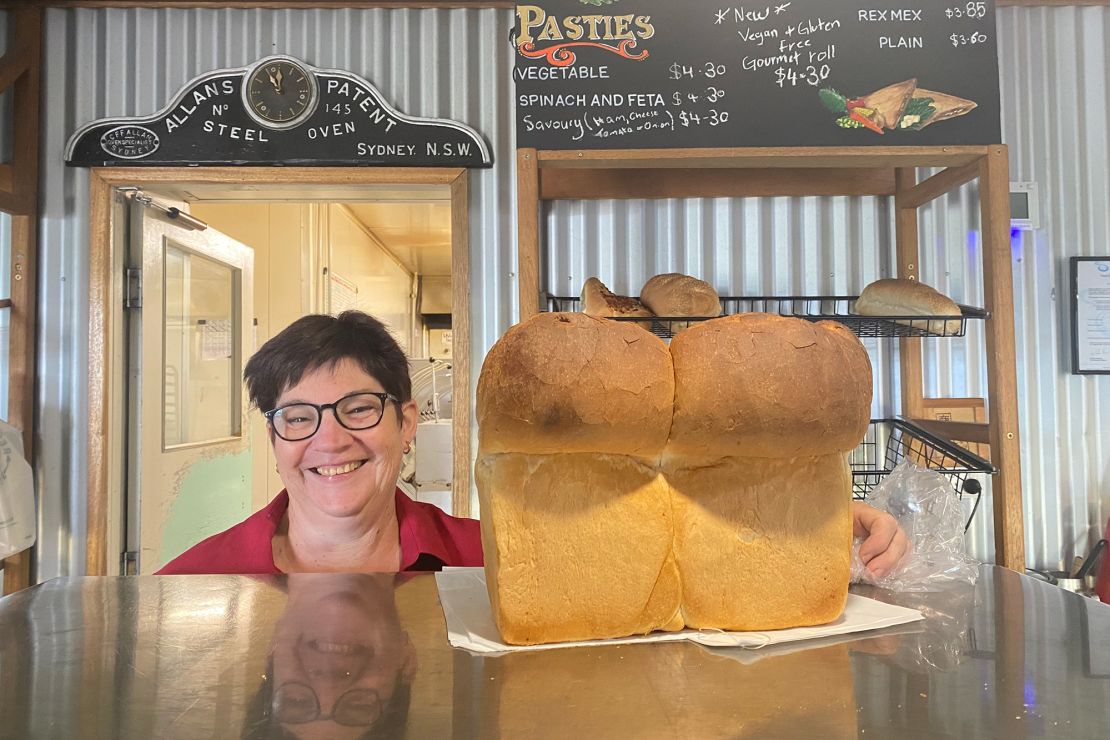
point(811, 308)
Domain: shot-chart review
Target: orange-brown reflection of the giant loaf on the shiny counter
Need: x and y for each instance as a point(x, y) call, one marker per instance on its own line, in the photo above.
point(634, 691)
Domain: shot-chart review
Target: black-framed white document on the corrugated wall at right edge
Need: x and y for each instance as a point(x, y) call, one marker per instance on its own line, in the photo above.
point(1091, 316)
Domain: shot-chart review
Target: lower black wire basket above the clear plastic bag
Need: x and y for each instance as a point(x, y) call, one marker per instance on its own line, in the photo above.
point(890, 442)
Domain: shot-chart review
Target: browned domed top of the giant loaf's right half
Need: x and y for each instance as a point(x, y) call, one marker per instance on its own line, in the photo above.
point(760, 386)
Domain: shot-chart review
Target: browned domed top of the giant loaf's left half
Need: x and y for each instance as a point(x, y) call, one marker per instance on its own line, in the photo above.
point(571, 383)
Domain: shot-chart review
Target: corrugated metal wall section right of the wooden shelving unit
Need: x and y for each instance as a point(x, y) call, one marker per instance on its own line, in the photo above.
point(1056, 108)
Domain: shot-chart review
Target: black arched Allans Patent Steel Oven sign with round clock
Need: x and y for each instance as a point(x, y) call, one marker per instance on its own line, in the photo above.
point(278, 111)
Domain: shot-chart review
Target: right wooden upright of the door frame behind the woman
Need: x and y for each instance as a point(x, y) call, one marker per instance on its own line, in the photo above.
point(461, 346)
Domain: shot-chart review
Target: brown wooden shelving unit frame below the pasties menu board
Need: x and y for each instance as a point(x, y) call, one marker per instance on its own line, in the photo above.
point(823, 171)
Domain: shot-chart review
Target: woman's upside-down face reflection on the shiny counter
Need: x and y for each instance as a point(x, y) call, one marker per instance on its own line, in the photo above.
point(340, 665)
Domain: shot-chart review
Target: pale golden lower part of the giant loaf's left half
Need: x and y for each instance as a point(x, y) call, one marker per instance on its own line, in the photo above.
point(577, 548)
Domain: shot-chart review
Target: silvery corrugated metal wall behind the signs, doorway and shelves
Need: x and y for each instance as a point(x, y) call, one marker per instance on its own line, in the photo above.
point(456, 64)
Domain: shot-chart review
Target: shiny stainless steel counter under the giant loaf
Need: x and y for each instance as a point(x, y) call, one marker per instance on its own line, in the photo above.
point(342, 656)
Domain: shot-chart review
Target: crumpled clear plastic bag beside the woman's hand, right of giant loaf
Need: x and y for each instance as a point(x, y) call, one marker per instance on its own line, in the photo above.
point(930, 512)
